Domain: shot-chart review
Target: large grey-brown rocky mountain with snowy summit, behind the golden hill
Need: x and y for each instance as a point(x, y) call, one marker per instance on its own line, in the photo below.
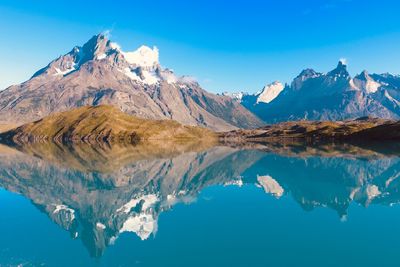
point(100, 72)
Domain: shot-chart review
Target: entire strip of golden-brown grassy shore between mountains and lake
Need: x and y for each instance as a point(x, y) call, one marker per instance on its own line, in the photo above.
point(108, 124)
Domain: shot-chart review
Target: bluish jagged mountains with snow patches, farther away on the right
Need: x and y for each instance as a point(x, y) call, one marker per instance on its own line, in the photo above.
point(332, 96)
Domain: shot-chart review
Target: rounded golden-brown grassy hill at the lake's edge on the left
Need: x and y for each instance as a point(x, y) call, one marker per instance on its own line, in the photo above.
point(103, 123)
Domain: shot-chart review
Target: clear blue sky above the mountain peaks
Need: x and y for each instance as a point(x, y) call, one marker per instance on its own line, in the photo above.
point(226, 45)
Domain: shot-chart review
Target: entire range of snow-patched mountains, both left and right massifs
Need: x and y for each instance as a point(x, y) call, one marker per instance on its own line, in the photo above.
point(101, 73)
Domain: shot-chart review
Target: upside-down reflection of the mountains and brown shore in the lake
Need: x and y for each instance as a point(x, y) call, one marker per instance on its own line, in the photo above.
point(97, 193)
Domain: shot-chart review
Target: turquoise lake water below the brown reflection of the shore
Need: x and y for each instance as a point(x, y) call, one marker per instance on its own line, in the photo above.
point(221, 207)
